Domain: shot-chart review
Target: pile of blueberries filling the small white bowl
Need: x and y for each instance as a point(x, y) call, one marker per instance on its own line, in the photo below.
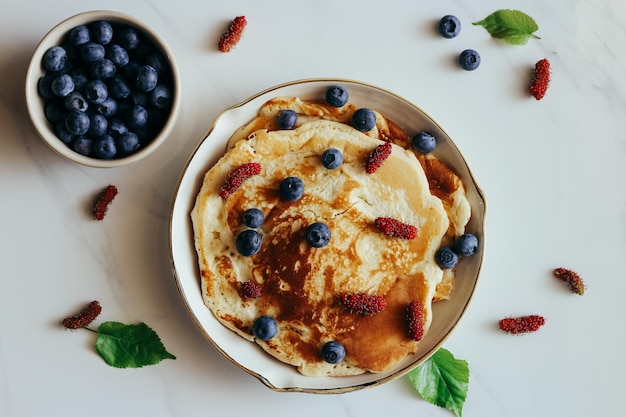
point(107, 89)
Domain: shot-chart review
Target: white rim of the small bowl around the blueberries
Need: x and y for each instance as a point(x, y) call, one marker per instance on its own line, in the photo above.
point(34, 102)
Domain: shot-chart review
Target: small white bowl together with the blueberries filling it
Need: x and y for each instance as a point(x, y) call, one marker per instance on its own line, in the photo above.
point(102, 89)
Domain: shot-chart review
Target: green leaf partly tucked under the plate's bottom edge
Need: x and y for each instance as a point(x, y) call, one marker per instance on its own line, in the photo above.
point(442, 380)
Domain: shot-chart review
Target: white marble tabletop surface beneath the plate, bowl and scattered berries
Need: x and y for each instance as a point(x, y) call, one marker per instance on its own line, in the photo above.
point(552, 171)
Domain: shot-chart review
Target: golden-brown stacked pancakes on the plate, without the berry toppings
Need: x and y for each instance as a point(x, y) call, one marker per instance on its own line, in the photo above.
point(301, 286)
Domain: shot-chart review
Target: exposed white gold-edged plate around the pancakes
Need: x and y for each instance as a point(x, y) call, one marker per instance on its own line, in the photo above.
point(248, 356)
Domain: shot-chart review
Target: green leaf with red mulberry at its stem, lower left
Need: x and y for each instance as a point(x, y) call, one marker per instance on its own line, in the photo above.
point(130, 345)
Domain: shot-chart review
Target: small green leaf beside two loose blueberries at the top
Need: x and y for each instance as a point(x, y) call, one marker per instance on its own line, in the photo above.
point(512, 26)
